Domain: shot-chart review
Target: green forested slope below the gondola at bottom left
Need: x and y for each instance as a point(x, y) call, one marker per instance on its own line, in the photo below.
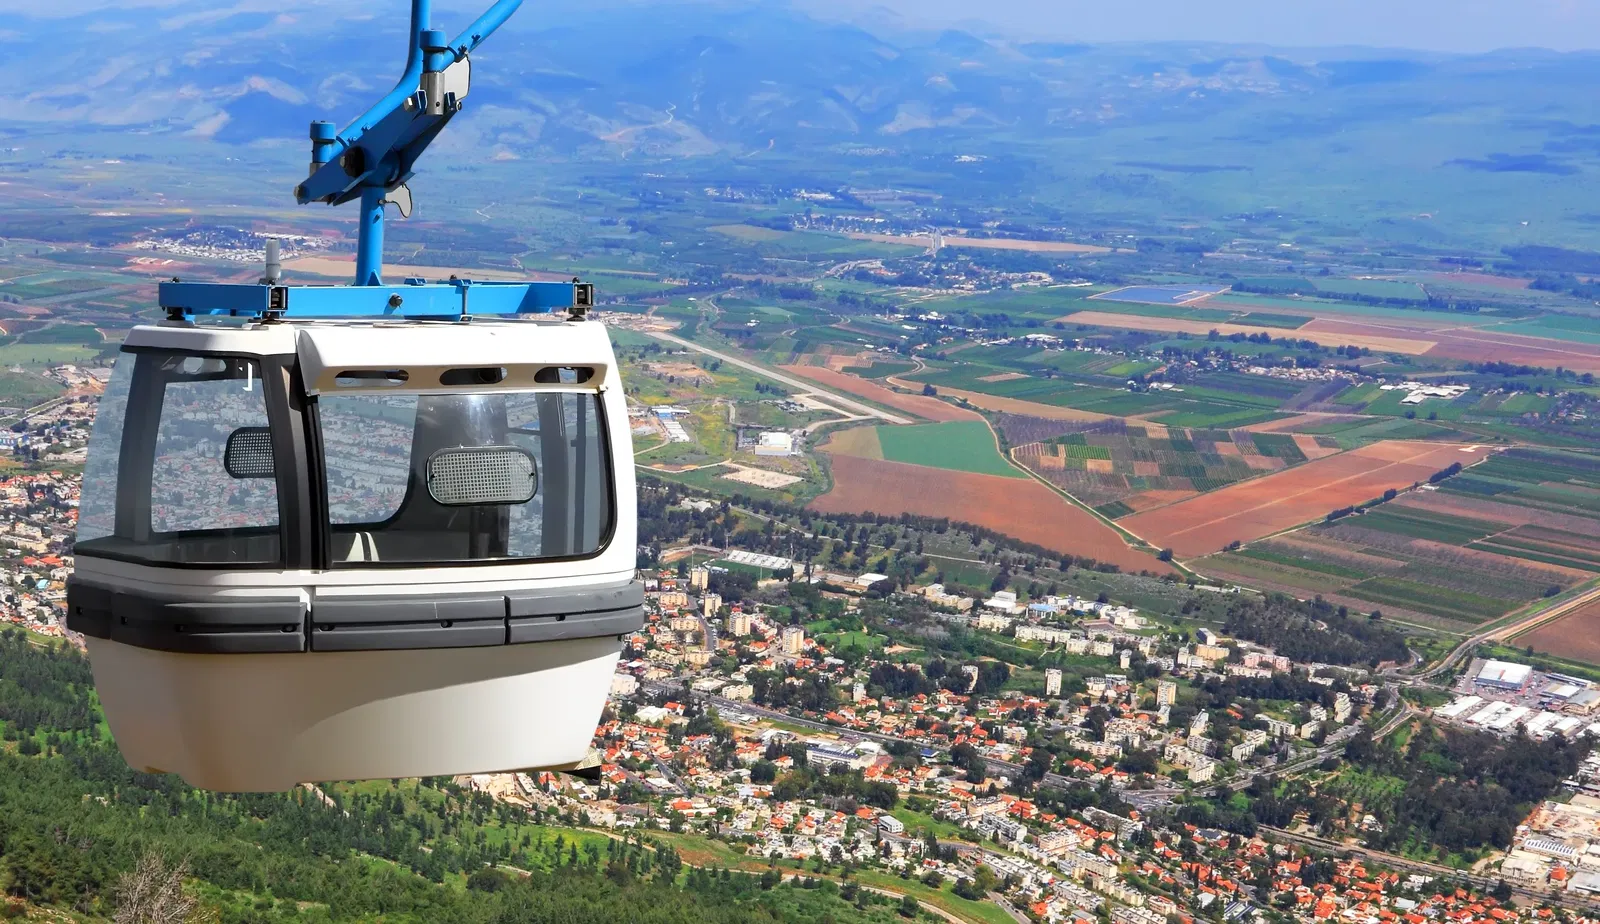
point(74, 819)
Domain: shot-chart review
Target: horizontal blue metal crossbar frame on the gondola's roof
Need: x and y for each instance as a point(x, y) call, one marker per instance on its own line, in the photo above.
point(412, 300)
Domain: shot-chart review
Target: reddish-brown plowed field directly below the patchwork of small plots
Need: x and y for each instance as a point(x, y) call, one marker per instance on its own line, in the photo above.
point(1265, 506)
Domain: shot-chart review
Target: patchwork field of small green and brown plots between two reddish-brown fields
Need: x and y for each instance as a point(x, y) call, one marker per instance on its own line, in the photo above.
point(1121, 468)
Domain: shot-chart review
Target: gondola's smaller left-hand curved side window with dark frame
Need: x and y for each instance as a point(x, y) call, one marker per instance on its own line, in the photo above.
point(158, 487)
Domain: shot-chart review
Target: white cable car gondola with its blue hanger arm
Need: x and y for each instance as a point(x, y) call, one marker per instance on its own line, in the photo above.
point(361, 532)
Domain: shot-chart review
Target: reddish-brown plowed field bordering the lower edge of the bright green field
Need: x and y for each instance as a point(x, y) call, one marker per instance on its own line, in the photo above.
point(1022, 509)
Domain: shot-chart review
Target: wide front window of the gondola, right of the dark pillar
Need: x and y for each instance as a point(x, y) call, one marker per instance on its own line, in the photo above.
point(386, 453)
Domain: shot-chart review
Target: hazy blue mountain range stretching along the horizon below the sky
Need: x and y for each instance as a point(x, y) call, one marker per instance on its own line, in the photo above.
point(1417, 149)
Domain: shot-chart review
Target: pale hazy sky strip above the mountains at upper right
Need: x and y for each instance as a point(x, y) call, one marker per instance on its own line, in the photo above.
point(1431, 25)
